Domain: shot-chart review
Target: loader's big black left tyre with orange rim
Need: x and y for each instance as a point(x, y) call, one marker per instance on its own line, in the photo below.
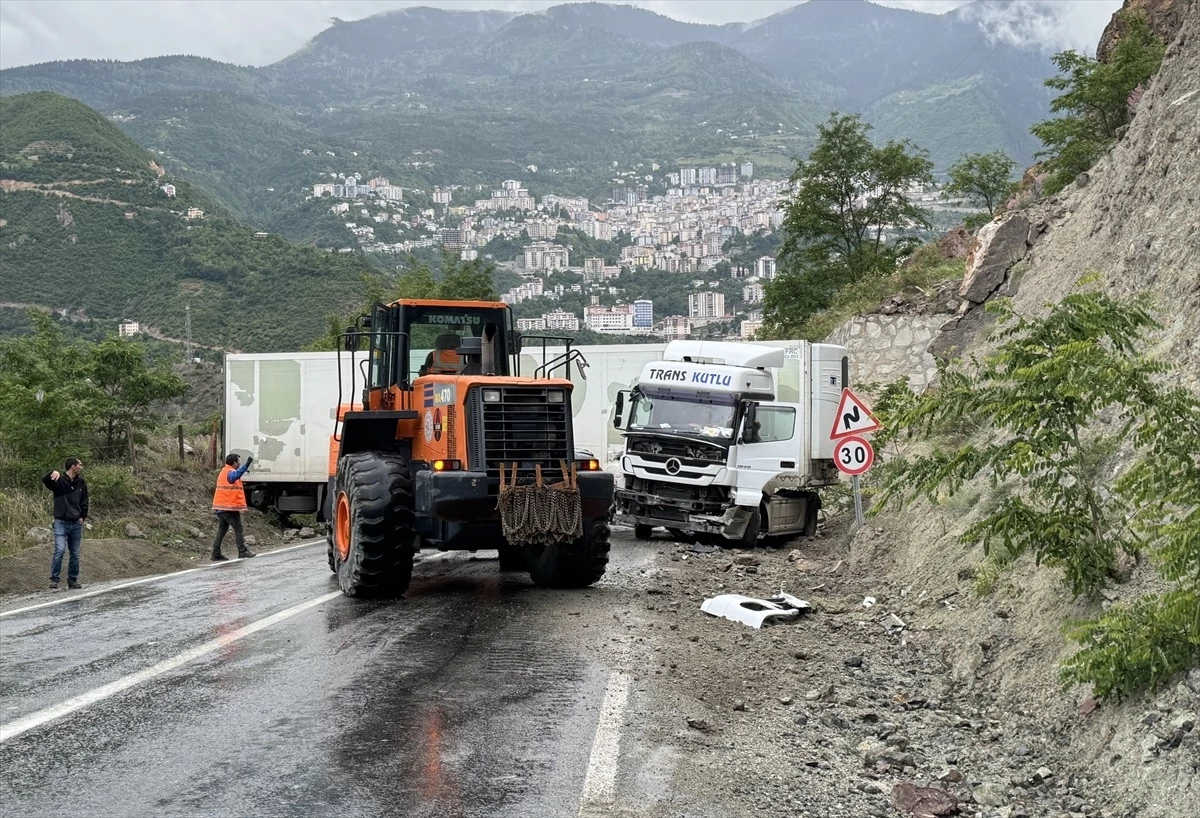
point(374, 525)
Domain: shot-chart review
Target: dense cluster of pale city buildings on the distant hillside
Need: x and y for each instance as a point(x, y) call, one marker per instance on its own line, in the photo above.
point(679, 222)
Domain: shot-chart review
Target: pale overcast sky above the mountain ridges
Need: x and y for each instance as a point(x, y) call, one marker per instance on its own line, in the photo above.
point(261, 32)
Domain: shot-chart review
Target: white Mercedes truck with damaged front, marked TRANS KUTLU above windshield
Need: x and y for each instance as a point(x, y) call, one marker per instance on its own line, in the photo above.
point(712, 454)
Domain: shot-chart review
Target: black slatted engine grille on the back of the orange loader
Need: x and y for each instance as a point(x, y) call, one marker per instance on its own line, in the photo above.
point(524, 428)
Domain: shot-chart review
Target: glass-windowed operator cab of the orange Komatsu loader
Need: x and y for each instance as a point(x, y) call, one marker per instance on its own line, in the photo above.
point(412, 339)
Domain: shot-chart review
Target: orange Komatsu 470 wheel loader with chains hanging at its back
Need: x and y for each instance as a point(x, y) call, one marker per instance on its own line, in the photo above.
point(416, 459)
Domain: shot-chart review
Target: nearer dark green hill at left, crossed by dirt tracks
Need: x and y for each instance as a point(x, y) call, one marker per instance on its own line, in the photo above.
point(91, 221)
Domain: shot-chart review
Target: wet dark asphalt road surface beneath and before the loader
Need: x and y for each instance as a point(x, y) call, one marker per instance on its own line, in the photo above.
point(464, 700)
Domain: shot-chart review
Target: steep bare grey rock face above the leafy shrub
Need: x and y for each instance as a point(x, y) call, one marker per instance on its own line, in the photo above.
point(1136, 218)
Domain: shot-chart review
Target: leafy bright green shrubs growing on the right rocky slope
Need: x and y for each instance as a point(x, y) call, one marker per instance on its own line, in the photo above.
point(1055, 404)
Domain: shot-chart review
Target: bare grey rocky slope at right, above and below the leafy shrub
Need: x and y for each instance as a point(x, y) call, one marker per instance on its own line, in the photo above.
point(1133, 222)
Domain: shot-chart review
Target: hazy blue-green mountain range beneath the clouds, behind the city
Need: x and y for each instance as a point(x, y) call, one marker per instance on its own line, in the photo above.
point(571, 91)
